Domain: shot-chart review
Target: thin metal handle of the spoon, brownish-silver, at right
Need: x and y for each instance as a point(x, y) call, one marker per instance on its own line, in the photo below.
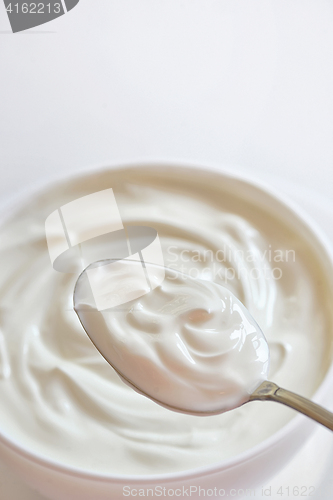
point(268, 391)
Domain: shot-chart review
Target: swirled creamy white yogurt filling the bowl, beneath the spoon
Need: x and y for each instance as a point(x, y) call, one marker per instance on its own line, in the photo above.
point(59, 396)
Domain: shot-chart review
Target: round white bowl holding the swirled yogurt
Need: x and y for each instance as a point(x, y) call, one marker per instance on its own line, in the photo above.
point(245, 471)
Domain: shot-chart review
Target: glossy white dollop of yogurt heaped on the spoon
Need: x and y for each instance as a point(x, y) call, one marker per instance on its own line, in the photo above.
point(188, 344)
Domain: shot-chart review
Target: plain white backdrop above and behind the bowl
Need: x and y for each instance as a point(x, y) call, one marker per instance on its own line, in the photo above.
point(245, 84)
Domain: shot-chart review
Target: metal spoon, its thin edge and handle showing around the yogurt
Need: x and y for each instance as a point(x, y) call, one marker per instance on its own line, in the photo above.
point(267, 391)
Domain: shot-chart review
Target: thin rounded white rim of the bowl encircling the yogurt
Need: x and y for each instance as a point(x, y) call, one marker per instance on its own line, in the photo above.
point(18, 200)
